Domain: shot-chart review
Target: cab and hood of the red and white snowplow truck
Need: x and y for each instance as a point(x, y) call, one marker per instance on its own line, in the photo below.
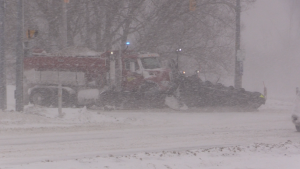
point(140, 71)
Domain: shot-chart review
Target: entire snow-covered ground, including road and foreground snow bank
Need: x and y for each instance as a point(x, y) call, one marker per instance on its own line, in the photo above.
point(149, 139)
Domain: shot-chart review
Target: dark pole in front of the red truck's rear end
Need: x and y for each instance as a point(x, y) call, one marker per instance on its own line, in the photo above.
point(19, 60)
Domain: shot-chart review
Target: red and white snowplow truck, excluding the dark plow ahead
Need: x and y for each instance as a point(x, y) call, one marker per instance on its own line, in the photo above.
point(88, 80)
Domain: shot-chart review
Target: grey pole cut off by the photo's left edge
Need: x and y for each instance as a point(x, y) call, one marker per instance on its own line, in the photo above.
point(3, 101)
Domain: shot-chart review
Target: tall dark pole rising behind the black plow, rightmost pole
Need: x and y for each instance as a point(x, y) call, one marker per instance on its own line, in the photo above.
point(238, 60)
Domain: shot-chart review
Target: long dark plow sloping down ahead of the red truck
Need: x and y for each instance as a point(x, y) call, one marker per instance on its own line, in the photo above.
point(197, 93)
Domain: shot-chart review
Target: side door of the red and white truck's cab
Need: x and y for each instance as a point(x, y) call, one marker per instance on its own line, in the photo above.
point(132, 77)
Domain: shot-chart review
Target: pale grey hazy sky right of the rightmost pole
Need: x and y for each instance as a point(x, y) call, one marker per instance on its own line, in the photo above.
point(271, 40)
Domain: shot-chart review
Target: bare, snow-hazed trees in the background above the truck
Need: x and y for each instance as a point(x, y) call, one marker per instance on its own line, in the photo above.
point(162, 26)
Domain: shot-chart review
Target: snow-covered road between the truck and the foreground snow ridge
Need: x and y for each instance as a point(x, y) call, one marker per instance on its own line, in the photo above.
point(38, 135)
